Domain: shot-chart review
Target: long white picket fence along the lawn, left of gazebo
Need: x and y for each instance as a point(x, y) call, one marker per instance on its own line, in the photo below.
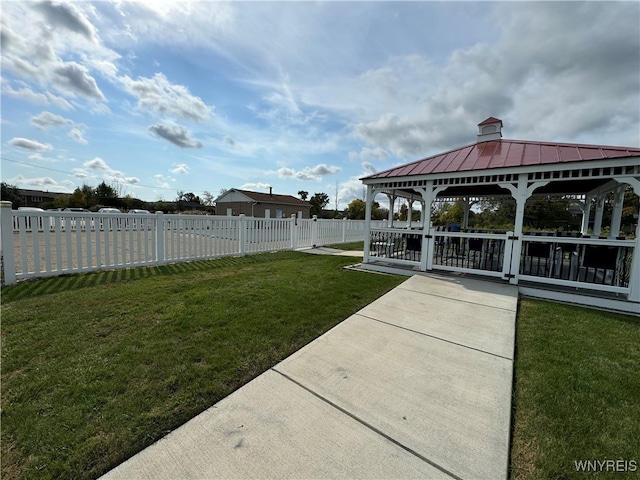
point(39, 244)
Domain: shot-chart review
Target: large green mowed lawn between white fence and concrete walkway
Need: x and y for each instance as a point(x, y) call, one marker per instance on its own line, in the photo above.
point(96, 367)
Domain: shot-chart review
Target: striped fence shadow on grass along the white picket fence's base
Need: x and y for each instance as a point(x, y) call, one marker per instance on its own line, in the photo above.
point(64, 283)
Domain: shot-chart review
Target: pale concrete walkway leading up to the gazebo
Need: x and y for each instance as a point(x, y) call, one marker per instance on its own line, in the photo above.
point(415, 385)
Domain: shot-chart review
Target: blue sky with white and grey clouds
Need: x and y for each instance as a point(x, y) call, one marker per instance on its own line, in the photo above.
point(161, 96)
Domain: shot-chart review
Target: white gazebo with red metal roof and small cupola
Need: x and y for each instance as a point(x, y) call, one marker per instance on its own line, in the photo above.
point(587, 266)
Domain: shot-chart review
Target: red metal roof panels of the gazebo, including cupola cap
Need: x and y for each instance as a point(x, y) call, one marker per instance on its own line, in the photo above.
point(506, 154)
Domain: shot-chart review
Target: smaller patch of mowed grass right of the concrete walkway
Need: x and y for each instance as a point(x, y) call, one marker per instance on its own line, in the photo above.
point(576, 392)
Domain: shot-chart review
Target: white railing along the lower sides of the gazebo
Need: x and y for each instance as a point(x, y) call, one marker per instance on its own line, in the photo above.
point(601, 264)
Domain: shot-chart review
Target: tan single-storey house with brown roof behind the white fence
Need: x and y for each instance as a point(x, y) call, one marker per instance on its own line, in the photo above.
point(261, 205)
